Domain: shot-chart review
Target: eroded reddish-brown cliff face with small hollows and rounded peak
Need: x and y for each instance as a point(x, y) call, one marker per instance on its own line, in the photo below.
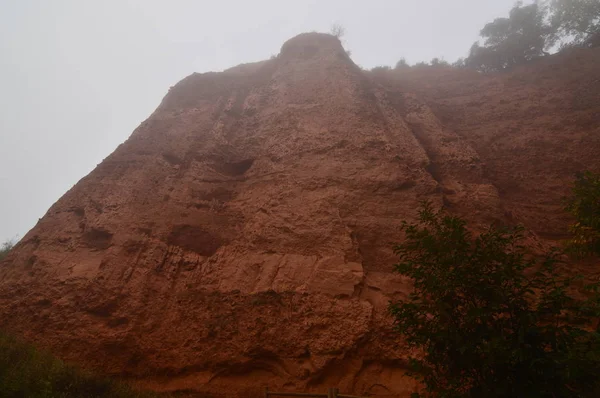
point(242, 236)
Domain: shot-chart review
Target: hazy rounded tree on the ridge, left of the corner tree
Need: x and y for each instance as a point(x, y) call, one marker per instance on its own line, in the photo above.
point(511, 41)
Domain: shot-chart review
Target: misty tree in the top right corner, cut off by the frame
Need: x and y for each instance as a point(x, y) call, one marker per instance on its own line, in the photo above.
point(575, 22)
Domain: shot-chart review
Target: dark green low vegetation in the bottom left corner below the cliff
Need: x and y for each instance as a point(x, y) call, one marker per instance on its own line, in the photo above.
point(27, 372)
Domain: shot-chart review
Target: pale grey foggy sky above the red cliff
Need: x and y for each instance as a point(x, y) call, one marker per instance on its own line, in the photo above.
point(77, 76)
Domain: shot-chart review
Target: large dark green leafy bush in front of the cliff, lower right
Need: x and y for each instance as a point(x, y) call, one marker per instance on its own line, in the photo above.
point(490, 320)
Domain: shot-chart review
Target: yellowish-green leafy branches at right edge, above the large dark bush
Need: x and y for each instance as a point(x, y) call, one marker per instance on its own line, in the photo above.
point(584, 204)
